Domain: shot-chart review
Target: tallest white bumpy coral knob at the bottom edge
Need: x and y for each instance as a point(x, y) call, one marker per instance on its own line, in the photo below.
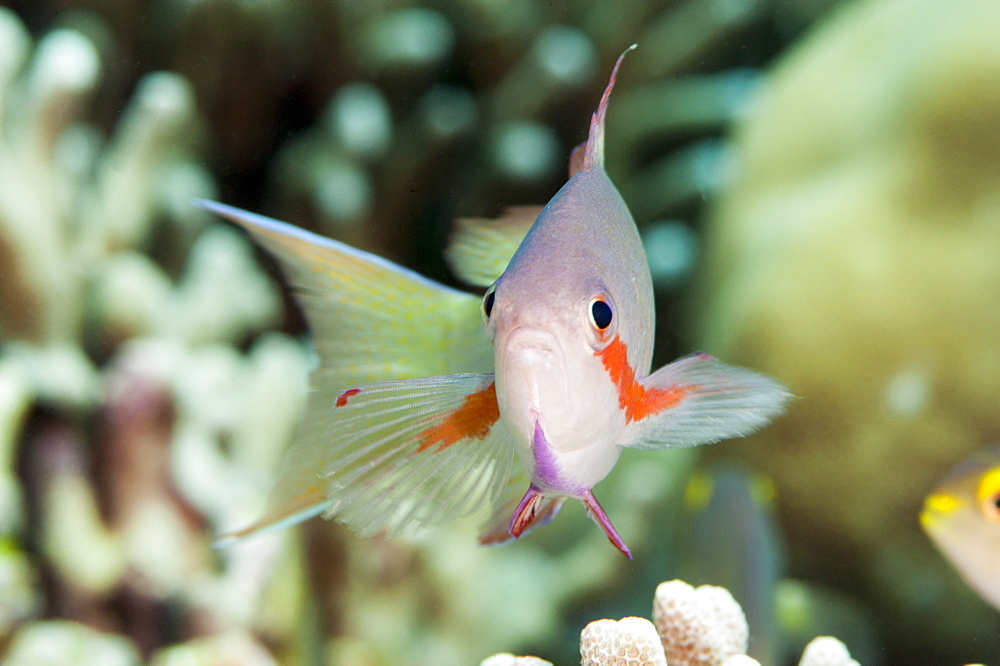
point(698, 627)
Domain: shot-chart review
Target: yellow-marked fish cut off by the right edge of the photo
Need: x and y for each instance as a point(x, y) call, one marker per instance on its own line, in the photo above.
point(962, 517)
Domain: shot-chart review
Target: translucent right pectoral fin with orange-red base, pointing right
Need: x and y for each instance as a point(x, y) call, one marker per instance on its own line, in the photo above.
point(698, 399)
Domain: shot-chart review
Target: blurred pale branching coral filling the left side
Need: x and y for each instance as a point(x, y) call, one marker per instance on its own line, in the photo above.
point(119, 353)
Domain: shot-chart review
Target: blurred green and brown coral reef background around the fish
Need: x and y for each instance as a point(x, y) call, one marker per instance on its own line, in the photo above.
point(817, 188)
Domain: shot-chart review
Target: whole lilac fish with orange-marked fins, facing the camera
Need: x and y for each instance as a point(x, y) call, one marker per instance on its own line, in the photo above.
point(416, 417)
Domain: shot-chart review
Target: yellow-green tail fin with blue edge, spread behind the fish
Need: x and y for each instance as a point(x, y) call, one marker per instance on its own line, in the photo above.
point(371, 320)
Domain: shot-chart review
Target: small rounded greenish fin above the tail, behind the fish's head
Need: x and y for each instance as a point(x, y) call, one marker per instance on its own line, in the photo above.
point(481, 248)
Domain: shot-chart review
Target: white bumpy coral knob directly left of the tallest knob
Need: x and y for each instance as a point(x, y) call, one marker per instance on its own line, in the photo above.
point(632, 641)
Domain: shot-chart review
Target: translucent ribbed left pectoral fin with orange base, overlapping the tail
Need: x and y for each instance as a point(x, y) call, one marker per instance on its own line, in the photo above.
point(400, 455)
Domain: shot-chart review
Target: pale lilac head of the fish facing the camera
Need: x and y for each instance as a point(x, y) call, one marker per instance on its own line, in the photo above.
point(578, 283)
